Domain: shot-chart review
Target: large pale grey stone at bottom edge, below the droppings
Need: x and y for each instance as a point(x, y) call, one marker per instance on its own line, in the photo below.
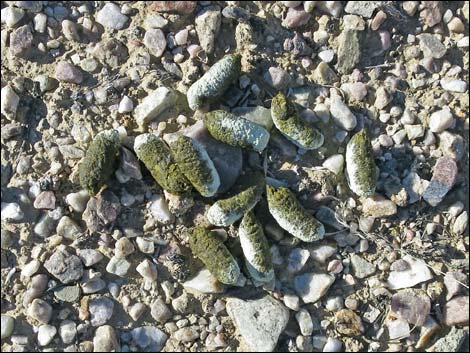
point(260, 322)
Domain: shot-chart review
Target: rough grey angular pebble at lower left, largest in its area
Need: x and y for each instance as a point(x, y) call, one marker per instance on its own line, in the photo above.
point(64, 266)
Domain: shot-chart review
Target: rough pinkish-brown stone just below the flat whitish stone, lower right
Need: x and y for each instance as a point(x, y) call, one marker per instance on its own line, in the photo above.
point(411, 305)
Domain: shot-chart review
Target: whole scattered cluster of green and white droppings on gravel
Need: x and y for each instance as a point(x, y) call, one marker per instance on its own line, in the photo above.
point(181, 165)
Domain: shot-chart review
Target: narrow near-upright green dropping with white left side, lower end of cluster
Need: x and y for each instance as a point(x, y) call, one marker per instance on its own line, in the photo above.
point(255, 249)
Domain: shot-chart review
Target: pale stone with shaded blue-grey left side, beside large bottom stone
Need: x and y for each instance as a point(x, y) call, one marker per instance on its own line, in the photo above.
point(312, 286)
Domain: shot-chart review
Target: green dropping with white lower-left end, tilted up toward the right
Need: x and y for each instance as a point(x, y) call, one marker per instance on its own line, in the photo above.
point(227, 211)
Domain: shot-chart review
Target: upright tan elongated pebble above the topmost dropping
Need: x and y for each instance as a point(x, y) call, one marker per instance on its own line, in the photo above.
point(207, 24)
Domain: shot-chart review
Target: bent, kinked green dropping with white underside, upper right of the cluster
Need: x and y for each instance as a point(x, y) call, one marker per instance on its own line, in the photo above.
point(287, 120)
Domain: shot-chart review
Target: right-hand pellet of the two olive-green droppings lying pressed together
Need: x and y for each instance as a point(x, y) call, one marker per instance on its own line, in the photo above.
point(196, 165)
